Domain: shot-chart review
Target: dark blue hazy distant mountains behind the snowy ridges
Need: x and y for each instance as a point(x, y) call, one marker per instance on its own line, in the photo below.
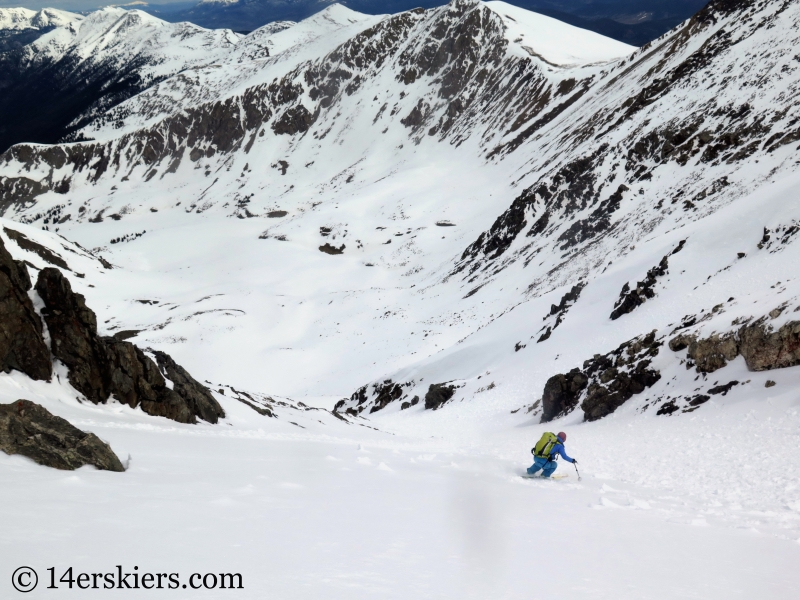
point(634, 22)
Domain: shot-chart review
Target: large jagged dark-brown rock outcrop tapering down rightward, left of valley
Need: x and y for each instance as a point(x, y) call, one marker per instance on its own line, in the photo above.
point(100, 367)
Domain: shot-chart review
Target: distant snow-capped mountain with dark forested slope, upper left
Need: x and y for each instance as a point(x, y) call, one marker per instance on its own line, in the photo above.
point(82, 67)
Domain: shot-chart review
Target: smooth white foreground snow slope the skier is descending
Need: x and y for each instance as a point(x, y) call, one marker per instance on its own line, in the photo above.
point(422, 507)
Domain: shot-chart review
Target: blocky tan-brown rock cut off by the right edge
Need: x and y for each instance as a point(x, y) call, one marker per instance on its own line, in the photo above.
point(764, 349)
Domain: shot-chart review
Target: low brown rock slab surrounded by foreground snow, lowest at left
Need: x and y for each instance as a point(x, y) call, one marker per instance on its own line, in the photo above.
point(31, 430)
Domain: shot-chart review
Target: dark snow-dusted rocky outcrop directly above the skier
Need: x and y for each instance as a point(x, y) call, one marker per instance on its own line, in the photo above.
point(605, 382)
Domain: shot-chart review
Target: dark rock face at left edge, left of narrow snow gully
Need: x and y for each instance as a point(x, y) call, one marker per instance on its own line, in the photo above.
point(22, 346)
